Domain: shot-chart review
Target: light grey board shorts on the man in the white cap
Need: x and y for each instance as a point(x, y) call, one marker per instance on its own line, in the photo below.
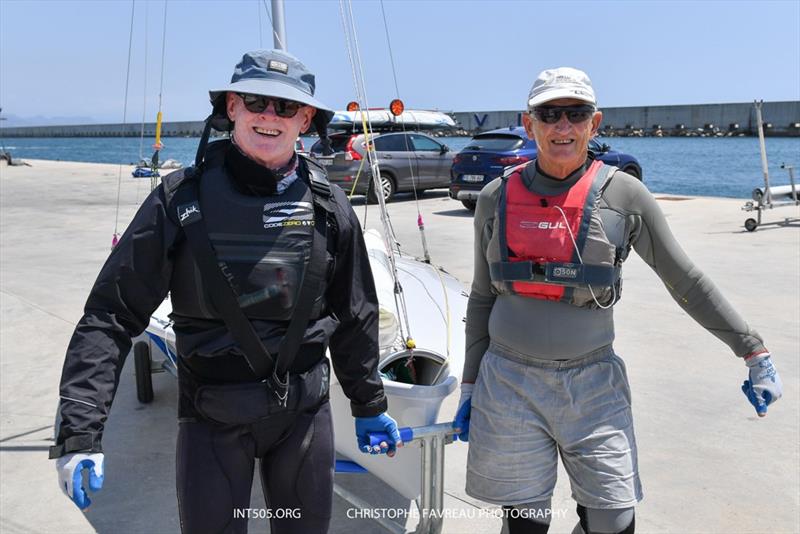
point(525, 414)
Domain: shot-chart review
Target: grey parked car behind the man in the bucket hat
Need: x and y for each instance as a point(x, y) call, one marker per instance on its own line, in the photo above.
point(407, 160)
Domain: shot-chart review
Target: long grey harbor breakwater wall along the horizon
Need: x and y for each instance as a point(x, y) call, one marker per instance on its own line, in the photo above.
point(781, 119)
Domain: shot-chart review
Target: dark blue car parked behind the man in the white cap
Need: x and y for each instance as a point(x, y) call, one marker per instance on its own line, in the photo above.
point(488, 154)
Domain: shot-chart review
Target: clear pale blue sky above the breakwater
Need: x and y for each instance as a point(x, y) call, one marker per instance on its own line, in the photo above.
point(67, 59)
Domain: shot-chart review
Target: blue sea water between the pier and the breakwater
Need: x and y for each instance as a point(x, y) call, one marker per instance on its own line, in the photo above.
point(720, 167)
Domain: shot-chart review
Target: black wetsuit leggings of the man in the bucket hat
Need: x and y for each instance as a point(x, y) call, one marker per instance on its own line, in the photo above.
point(215, 468)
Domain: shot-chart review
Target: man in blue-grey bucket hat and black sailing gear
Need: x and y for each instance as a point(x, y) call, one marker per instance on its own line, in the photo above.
point(266, 269)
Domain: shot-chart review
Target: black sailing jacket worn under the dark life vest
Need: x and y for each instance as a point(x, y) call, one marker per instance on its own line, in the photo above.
point(137, 277)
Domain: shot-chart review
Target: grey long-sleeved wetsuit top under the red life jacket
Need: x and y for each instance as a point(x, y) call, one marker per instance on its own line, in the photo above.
point(524, 327)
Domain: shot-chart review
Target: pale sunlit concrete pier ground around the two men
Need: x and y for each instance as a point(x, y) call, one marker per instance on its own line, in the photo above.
point(708, 464)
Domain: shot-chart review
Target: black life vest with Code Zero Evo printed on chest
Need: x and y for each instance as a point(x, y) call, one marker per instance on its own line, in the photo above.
point(262, 244)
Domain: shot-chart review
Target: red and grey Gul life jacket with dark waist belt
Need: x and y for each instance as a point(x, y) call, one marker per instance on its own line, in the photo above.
point(543, 239)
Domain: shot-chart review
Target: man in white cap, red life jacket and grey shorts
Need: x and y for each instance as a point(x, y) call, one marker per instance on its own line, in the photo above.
point(541, 378)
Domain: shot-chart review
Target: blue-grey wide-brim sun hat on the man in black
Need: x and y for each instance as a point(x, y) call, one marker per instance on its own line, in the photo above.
point(270, 73)
